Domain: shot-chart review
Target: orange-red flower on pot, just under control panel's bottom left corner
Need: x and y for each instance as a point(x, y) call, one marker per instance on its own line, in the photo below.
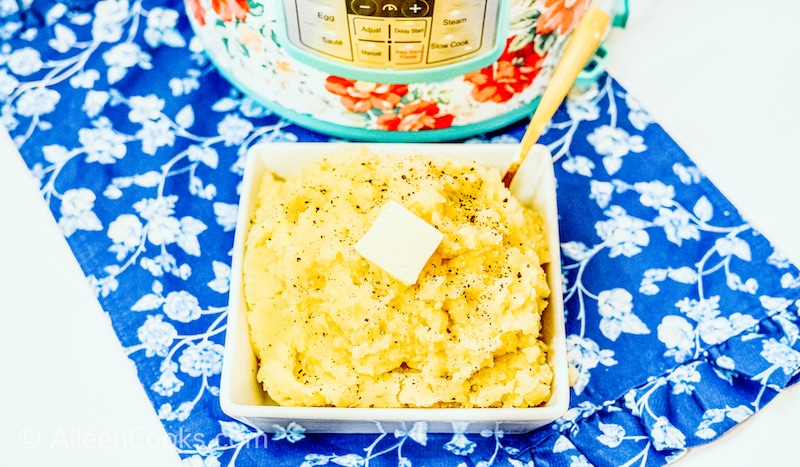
point(360, 96)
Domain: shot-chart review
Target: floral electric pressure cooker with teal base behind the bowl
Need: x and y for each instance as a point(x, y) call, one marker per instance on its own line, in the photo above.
point(393, 70)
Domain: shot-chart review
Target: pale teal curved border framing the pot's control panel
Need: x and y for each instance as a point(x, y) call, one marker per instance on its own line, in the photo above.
point(399, 76)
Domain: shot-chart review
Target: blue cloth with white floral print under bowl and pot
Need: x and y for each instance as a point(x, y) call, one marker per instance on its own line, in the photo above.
point(682, 319)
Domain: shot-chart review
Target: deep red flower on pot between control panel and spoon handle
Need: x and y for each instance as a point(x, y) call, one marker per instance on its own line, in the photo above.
point(509, 75)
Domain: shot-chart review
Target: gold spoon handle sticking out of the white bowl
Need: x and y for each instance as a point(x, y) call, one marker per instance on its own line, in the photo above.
point(580, 46)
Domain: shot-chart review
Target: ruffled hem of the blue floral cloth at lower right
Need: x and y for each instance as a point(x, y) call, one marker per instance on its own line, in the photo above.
point(638, 425)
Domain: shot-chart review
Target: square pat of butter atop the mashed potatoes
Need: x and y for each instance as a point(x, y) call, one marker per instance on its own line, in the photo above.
point(399, 242)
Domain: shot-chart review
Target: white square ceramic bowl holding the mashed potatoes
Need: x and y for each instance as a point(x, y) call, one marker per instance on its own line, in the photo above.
point(241, 395)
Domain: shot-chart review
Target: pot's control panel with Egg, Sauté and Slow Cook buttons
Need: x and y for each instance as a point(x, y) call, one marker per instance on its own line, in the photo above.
point(393, 34)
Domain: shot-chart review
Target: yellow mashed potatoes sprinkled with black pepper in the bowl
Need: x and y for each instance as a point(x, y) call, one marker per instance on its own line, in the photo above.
point(331, 329)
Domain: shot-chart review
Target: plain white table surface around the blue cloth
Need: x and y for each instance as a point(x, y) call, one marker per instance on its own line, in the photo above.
point(721, 76)
